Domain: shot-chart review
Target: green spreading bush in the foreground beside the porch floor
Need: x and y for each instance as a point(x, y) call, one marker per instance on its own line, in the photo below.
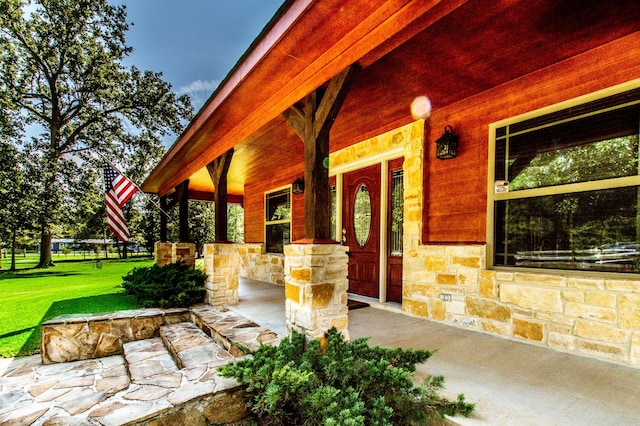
point(333, 382)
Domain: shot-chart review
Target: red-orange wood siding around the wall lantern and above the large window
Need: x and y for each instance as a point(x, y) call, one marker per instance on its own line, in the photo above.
point(455, 191)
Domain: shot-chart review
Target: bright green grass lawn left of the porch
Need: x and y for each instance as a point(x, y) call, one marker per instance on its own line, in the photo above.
point(29, 297)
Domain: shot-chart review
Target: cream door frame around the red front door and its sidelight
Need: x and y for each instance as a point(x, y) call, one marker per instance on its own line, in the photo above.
point(383, 159)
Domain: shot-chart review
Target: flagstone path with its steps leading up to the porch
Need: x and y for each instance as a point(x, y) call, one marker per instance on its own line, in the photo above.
point(171, 378)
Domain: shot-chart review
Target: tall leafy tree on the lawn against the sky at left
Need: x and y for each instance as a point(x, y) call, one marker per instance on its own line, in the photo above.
point(61, 69)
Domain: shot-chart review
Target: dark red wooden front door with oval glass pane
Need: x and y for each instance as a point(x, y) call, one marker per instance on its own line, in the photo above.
point(361, 221)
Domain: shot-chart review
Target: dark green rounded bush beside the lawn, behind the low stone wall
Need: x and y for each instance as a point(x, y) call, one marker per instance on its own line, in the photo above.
point(170, 286)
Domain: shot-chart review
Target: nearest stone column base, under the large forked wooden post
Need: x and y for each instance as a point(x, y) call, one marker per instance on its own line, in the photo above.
point(316, 288)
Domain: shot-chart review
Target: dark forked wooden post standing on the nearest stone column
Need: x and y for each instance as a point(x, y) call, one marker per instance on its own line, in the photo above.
point(313, 126)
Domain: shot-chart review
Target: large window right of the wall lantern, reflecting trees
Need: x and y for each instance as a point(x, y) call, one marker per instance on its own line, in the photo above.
point(566, 193)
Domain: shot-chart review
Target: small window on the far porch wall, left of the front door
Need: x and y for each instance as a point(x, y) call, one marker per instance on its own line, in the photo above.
point(277, 220)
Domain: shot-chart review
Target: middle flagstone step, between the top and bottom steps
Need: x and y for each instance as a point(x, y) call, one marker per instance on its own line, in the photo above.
point(191, 347)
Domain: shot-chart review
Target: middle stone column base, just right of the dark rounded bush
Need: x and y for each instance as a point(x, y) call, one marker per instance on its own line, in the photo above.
point(222, 266)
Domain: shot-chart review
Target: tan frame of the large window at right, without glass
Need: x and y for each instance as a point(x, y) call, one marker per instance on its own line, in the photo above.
point(597, 185)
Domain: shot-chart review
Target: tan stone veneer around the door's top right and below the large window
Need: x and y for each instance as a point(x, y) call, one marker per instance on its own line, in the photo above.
point(585, 314)
